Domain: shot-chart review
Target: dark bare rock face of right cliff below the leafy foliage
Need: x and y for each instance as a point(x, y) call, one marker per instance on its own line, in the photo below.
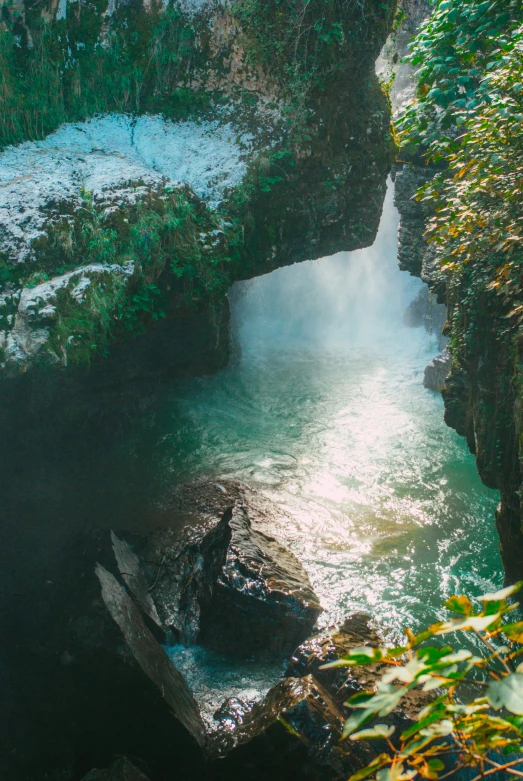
point(481, 391)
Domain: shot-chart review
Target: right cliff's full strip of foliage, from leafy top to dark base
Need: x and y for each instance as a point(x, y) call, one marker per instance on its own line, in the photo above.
point(466, 122)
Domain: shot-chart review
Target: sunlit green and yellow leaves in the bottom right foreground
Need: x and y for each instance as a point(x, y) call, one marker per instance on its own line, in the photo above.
point(454, 724)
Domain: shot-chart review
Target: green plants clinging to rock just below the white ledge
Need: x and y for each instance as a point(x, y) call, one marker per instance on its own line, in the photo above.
point(168, 240)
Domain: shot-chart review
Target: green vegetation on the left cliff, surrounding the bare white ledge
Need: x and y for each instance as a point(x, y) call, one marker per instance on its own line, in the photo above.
point(275, 70)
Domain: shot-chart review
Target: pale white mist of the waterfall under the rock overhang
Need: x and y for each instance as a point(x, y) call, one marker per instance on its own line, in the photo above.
point(348, 301)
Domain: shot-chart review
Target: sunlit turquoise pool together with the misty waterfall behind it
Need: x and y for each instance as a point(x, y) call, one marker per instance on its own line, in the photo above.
point(324, 411)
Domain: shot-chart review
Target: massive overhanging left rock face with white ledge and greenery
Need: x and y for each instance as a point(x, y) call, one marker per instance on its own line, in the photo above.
point(220, 166)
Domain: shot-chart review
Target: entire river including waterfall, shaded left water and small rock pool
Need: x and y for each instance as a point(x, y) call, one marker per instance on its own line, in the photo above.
point(323, 410)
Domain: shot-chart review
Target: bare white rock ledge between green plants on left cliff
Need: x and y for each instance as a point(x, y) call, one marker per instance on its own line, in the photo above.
point(105, 155)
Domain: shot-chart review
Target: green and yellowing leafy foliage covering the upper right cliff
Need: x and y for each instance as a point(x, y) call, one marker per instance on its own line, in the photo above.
point(467, 121)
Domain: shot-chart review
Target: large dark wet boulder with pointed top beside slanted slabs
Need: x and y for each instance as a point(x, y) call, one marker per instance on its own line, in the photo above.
point(234, 589)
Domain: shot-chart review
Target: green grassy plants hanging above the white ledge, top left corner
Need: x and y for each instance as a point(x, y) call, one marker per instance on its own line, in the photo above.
point(137, 61)
